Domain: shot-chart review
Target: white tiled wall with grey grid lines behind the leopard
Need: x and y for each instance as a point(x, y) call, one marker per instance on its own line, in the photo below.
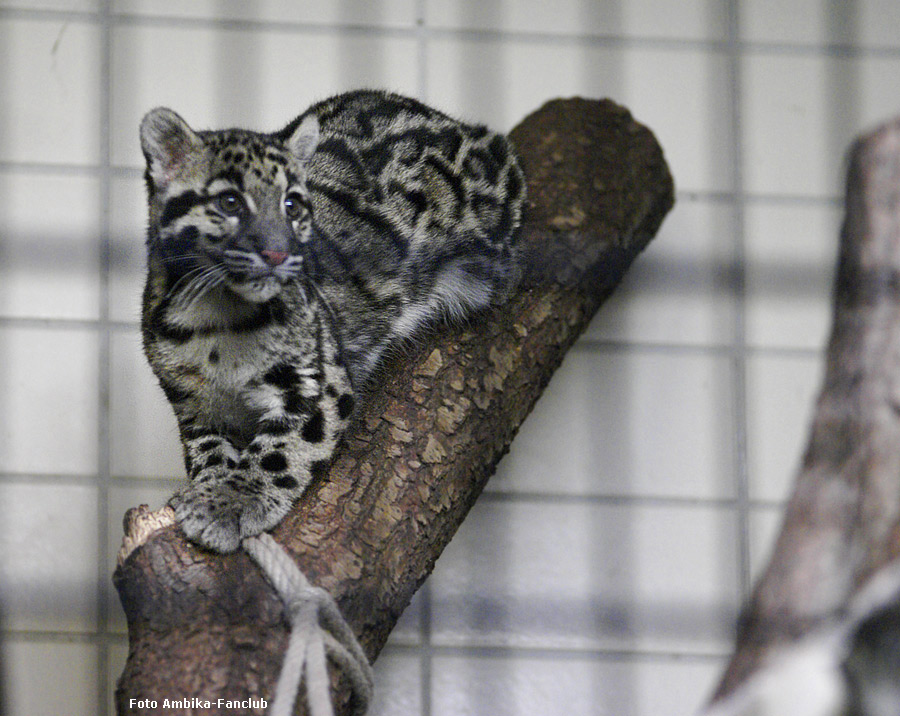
point(602, 571)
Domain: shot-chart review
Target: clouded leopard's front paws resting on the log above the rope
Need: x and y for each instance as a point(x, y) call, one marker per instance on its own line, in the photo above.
point(218, 515)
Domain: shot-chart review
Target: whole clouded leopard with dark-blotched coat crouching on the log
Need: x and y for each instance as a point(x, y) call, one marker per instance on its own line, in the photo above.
point(282, 266)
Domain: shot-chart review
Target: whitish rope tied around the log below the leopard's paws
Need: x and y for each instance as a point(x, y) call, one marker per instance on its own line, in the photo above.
point(317, 629)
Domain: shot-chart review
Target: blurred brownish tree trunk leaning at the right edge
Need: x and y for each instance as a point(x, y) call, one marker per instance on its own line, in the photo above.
point(842, 522)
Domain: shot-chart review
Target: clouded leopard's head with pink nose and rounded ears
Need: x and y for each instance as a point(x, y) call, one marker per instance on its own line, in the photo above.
point(228, 209)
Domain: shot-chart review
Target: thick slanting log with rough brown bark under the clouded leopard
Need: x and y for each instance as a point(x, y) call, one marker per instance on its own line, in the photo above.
point(424, 445)
